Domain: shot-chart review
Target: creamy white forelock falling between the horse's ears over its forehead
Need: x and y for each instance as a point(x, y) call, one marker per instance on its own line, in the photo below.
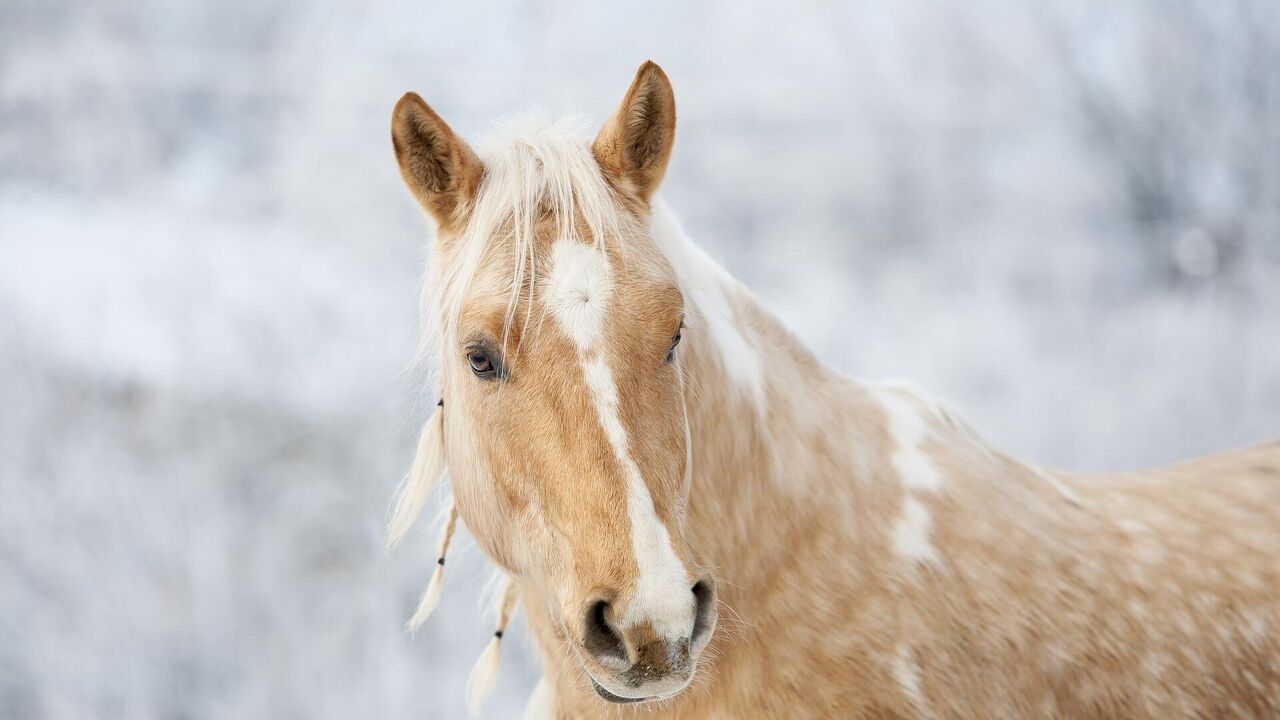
point(536, 168)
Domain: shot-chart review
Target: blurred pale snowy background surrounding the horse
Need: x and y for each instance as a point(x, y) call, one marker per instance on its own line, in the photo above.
point(1064, 217)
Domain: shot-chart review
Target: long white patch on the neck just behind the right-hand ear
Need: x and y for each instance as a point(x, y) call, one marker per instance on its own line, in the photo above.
point(708, 297)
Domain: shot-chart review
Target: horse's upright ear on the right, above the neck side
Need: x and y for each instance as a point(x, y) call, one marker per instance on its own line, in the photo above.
point(634, 147)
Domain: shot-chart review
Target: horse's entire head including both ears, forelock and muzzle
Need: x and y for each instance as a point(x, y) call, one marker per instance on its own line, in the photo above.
point(565, 422)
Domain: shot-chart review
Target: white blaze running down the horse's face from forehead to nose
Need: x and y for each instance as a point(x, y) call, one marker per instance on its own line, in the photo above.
point(579, 293)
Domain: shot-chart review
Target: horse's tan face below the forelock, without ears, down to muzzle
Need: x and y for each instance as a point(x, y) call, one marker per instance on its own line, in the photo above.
point(569, 459)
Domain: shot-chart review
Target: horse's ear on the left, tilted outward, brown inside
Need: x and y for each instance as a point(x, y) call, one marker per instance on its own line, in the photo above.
point(444, 174)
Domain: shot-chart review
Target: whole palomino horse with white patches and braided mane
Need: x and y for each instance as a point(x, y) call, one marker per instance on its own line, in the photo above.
point(642, 448)
